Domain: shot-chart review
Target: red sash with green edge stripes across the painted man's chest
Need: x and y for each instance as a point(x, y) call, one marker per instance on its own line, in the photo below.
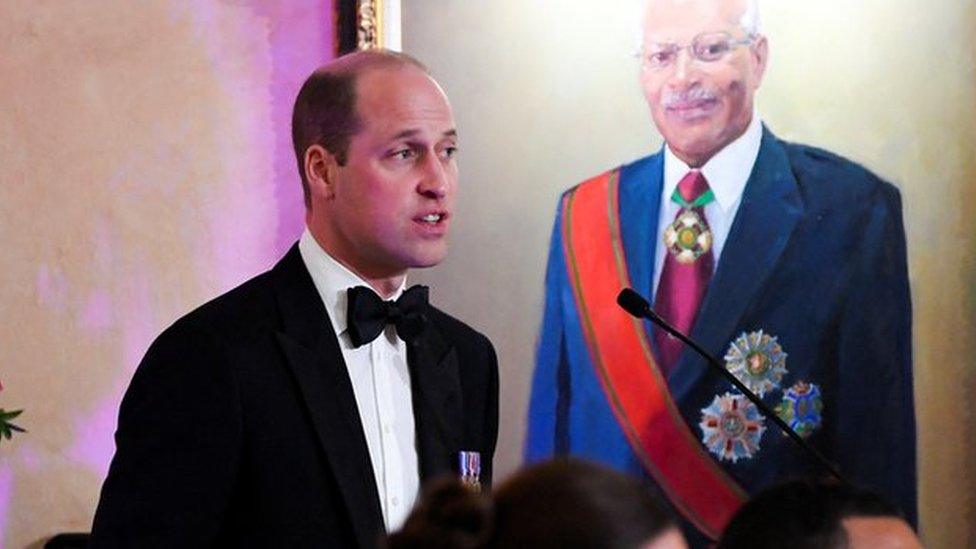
point(637, 392)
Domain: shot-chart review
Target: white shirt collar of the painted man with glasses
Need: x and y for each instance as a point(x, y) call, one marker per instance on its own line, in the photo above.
point(727, 172)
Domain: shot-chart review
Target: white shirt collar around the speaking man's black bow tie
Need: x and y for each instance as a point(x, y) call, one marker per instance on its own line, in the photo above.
point(332, 279)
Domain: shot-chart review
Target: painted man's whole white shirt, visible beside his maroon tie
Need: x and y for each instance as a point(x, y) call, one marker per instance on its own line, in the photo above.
point(727, 173)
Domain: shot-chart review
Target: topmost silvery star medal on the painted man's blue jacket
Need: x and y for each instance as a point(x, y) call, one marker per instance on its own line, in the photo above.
point(757, 360)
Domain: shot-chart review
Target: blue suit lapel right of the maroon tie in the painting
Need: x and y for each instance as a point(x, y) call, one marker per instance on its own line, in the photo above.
point(770, 209)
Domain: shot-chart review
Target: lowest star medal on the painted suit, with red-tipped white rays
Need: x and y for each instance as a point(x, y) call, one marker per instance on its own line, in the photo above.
point(732, 427)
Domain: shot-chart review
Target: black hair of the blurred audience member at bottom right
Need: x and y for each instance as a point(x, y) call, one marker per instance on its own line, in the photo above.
point(802, 514)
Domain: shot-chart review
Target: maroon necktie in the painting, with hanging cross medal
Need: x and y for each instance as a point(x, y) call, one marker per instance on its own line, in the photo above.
point(687, 268)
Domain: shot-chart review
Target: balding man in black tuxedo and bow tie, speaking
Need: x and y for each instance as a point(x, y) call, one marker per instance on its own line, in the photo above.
point(305, 407)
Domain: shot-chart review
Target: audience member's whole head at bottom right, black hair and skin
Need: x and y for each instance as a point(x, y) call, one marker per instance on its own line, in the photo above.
point(806, 514)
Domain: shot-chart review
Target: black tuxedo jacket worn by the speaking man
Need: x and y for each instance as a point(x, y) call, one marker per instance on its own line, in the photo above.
point(240, 427)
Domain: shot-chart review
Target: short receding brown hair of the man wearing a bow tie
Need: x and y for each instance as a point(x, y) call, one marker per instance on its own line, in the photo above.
point(325, 109)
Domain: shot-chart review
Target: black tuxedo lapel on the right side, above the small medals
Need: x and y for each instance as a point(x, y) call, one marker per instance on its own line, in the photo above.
point(437, 409)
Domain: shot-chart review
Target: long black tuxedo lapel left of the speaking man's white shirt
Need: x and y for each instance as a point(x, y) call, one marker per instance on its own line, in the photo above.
point(313, 354)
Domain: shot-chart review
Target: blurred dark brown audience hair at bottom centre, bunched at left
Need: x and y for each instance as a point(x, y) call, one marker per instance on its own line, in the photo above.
point(558, 504)
